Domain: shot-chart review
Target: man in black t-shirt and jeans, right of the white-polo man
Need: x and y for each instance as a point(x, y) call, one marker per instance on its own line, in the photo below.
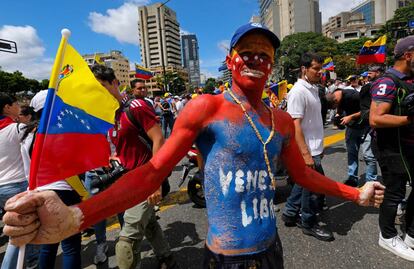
point(348, 101)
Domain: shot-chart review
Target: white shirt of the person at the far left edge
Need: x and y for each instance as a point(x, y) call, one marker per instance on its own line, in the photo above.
point(11, 163)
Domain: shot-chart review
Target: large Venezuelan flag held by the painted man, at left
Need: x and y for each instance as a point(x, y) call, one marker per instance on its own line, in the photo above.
point(71, 138)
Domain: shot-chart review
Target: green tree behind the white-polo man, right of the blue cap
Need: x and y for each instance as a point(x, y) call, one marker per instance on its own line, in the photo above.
point(293, 46)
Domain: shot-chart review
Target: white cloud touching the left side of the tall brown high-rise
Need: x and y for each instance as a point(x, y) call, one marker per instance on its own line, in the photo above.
point(120, 23)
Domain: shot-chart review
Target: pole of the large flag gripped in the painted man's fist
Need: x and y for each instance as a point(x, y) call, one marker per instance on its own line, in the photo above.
point(53, 83)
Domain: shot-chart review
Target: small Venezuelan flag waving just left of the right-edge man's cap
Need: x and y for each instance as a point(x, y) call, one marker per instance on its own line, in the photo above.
point(373, 52)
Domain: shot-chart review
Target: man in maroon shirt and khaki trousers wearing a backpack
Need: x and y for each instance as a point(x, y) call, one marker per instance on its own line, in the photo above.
point(136, 138)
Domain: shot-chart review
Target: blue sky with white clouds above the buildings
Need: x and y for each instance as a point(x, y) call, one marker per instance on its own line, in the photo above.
point(104, 25)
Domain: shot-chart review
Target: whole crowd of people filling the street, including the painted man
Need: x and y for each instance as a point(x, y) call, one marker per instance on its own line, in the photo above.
point(152, 134)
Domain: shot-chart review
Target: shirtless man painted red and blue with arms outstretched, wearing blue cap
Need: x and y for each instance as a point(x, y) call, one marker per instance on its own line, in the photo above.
point(240, 139)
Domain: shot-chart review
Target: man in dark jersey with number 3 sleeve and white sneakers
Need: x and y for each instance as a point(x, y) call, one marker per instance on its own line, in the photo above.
point(391, 114)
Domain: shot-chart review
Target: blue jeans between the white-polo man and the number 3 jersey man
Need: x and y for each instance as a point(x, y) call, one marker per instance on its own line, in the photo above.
point(354, 139)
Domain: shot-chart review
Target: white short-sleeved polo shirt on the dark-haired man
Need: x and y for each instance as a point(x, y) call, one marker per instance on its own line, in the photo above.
point(303, 103)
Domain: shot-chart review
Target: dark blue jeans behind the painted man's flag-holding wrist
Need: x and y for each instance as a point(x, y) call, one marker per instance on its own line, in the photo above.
point(71, 246)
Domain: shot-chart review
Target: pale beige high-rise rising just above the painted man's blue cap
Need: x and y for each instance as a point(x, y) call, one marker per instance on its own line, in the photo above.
point(286, 17)
